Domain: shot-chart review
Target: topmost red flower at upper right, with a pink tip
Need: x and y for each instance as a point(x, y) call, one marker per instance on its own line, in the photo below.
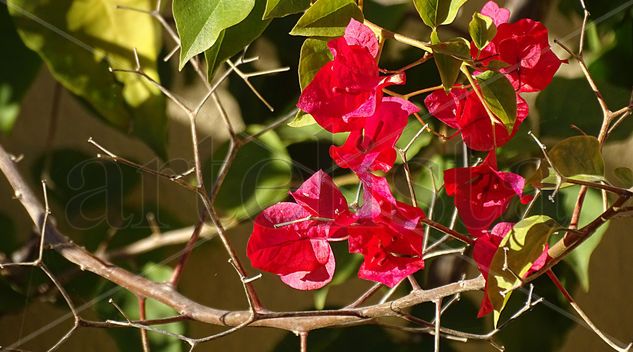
point(522, 45)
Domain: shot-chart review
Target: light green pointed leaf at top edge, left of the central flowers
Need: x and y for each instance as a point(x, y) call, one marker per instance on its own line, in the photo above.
point(200, 22)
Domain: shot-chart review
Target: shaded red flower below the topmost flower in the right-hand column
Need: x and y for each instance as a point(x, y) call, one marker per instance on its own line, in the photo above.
point(461, 109)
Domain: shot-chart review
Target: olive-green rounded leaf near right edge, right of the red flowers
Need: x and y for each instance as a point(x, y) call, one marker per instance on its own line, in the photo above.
point(578, 157)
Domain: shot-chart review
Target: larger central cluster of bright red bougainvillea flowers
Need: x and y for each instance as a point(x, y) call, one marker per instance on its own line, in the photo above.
point(291, 239)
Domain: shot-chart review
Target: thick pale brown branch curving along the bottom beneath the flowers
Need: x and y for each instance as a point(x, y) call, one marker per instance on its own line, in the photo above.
point(291, 321)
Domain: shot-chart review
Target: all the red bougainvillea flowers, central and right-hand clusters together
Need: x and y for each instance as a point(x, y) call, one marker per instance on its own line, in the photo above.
point(292, 240)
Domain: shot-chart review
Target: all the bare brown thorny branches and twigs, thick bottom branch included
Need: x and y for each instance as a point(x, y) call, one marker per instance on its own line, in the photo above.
point(300, 322)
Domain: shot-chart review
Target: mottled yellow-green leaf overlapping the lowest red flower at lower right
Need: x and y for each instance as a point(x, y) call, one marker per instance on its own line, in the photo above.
point(516, 253)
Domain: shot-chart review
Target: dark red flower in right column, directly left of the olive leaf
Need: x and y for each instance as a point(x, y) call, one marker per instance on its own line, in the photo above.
point(482, 193)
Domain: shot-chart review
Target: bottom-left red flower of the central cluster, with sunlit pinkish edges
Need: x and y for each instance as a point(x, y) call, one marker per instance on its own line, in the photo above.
point(287, 243)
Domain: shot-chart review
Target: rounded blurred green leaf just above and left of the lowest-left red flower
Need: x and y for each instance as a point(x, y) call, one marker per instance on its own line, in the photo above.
point(259, 177)
